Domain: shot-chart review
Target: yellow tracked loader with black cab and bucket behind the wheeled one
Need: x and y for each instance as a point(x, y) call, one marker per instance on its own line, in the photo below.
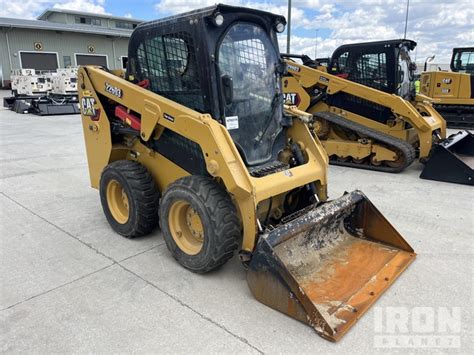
point(367, 119)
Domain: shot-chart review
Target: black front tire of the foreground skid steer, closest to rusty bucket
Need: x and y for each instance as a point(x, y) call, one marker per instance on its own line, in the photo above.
point(221, 225)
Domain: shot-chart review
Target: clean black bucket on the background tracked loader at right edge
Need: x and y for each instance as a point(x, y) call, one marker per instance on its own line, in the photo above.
point(452, 160)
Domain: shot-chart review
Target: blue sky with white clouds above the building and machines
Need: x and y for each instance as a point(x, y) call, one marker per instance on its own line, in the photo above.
point(320, 25)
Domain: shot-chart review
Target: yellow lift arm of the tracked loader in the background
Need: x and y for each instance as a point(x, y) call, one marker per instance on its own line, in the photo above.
point(420, 115)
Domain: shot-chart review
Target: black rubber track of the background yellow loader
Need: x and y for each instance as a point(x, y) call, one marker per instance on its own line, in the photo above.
point(390, 142)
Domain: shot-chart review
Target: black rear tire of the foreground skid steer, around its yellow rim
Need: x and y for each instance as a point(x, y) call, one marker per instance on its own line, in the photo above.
point(142, 194)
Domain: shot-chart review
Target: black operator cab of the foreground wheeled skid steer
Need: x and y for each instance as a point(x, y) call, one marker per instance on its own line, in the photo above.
point(221, 60)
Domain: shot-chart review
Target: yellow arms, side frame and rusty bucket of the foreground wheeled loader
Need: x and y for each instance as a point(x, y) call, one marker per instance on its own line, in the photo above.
point(324, 265)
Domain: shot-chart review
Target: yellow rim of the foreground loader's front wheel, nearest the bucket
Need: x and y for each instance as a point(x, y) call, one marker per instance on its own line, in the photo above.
point(186, 227)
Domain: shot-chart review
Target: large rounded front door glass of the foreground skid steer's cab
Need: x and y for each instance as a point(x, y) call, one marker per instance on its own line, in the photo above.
point(248, 57)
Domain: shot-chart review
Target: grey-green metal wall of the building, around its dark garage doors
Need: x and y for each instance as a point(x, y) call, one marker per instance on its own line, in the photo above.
point(64, 43)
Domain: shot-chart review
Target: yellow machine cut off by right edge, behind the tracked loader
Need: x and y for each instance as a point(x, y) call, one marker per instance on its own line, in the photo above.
point(453, 91)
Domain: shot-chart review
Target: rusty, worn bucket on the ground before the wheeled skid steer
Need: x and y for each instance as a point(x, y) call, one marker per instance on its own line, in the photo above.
point(329, 265)
